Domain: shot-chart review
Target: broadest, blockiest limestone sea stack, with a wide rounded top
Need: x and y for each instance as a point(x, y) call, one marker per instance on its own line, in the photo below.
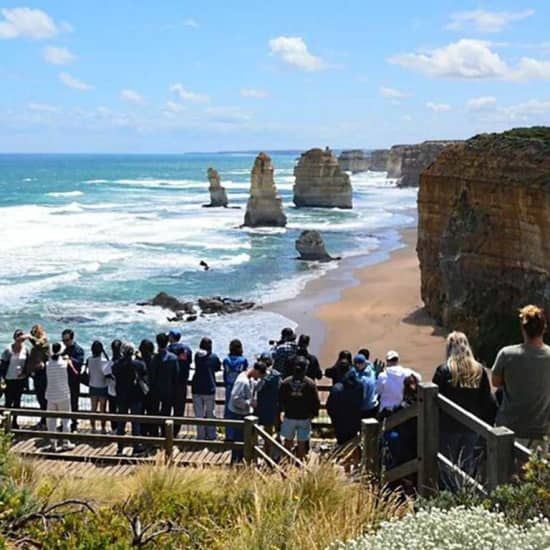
point(320, 182)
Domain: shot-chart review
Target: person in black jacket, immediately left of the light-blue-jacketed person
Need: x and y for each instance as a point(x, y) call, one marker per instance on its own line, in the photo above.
point(344, 406)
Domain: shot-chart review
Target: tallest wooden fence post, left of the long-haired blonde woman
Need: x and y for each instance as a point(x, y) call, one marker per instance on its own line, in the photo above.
point(427, 438)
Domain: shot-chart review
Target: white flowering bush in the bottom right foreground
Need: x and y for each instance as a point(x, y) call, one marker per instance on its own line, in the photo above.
point(458, 528)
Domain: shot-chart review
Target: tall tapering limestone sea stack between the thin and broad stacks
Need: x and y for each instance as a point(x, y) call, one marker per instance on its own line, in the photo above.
point(264, 207)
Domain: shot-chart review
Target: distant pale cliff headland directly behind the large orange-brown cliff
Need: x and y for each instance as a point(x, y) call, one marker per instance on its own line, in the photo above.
point(406, 162)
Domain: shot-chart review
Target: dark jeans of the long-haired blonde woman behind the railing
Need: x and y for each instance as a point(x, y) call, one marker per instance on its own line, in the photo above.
point(459, 447)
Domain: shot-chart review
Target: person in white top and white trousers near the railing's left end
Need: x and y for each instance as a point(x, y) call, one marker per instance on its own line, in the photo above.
point(58, 393)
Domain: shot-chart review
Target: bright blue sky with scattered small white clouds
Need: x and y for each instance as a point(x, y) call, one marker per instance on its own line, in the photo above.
point(143, 76)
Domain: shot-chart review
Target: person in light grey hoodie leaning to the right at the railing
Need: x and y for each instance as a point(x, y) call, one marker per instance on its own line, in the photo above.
point(243, 401)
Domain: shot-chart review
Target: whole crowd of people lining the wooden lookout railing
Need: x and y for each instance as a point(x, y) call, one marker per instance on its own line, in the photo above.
point(279, 387)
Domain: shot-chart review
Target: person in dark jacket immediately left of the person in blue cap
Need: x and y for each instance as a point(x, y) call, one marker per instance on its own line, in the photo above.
point(163, 378)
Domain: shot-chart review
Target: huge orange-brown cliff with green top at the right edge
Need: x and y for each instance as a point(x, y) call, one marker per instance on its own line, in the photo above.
point(484, 234)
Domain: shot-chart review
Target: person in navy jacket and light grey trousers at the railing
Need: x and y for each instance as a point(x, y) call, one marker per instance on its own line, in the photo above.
point(203, 387)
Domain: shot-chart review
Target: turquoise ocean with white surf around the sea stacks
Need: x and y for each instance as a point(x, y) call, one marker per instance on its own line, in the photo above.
point(85, 237)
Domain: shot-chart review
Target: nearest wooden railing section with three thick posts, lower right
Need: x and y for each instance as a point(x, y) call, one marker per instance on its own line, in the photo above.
point(503, 454)
